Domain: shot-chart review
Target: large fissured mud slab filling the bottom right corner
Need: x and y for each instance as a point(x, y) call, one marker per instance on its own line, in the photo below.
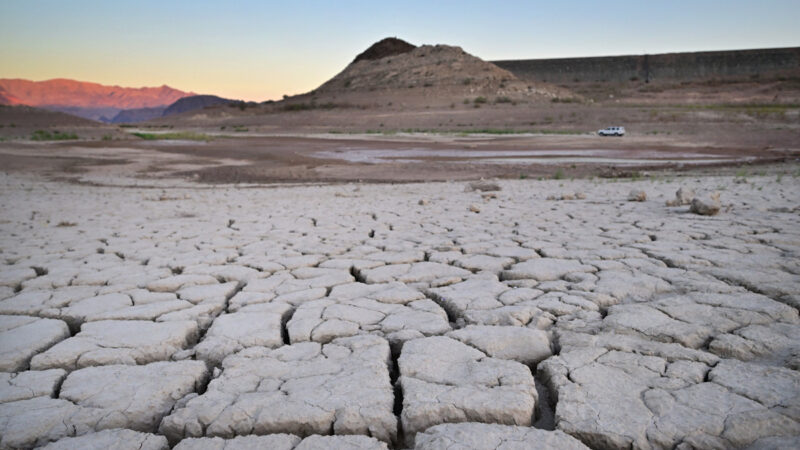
point(612, 399)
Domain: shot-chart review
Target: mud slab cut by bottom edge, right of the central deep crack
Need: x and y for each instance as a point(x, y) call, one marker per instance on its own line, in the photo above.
point(481, 436)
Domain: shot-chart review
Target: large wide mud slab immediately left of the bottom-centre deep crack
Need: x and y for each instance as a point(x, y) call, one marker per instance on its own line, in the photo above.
point(342, 387)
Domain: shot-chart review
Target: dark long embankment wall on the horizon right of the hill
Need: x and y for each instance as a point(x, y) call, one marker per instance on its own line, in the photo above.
point(761, 63)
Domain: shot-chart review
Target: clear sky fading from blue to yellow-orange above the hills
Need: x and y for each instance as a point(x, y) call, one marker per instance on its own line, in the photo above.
point(259, 50)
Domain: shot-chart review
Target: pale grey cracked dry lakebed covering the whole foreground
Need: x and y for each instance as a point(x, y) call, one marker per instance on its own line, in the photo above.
point(532, 314)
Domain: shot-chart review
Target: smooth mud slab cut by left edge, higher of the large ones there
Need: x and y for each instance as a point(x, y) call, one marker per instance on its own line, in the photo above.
point(21, 337)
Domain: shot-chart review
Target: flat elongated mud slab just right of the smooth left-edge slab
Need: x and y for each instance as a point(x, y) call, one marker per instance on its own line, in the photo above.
point(118, 342)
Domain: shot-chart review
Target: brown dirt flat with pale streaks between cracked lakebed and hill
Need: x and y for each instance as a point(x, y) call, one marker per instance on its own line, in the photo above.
point(374, 158)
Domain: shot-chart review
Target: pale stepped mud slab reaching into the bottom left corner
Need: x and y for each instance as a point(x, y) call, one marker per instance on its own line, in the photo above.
point(98, 398)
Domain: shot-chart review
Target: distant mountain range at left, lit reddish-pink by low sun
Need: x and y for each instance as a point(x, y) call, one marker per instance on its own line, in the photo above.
point(111, 104)
